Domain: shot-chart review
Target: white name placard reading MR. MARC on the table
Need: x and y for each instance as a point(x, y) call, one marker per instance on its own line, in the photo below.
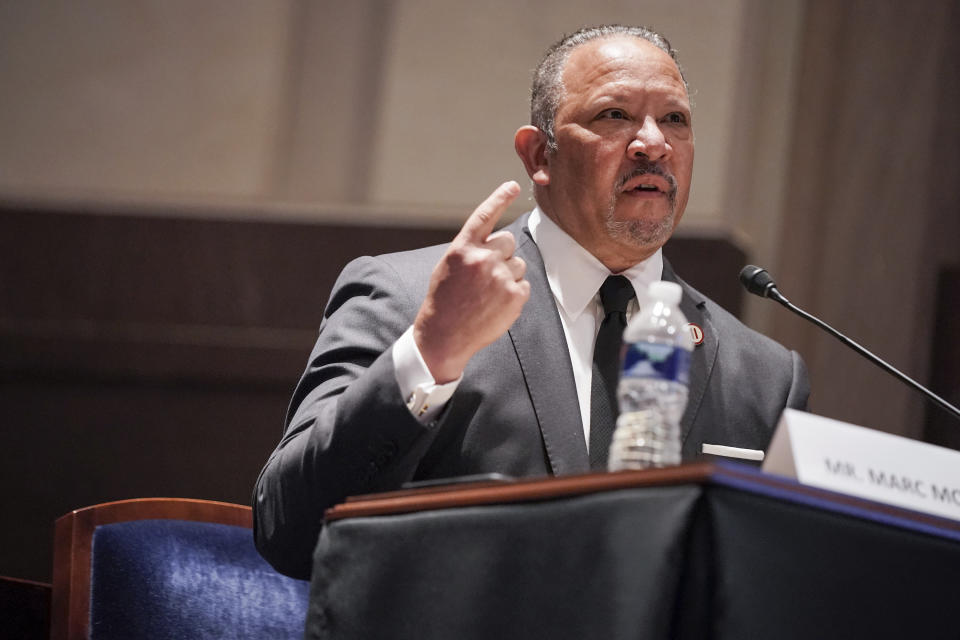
point(863, 462)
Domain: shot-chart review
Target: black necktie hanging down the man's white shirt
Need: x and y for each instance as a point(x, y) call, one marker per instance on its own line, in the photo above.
point(615, 295)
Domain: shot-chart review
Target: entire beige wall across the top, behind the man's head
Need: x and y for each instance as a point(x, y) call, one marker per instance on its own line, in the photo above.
point(380, 105)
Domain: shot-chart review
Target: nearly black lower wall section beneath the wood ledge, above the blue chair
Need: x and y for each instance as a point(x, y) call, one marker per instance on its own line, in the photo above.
point(71, 444)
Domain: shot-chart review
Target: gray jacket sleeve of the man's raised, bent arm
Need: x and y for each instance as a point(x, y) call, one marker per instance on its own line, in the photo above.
point(347, 430)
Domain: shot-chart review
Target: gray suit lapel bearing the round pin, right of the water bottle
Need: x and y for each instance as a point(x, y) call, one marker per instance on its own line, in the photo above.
point(693, 305)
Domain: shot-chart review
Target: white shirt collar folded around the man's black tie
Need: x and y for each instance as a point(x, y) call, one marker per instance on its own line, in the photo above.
point(574, 274)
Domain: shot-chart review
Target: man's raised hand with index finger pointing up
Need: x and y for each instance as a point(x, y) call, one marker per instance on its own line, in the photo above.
point(476, 291)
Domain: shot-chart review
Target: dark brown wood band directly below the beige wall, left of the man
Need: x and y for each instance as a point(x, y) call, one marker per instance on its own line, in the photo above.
point(157, 270)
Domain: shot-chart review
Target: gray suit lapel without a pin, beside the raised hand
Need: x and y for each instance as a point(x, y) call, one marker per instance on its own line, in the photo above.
point(541, 348)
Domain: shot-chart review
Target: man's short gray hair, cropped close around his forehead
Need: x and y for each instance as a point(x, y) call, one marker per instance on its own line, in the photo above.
point(547, 89)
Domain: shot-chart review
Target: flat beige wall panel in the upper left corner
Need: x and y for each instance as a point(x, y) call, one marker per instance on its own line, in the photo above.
point(147, 99)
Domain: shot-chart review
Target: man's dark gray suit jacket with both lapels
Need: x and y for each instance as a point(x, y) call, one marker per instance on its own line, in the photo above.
point(515, 411)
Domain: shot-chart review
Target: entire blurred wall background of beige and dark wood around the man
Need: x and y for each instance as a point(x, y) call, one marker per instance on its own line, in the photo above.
point(181, 181)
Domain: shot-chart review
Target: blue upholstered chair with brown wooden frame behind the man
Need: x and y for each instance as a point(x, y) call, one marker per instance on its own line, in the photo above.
point(168, 568)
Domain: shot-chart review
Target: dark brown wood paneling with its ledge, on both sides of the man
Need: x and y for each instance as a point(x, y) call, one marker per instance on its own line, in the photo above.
point(163, 297)
